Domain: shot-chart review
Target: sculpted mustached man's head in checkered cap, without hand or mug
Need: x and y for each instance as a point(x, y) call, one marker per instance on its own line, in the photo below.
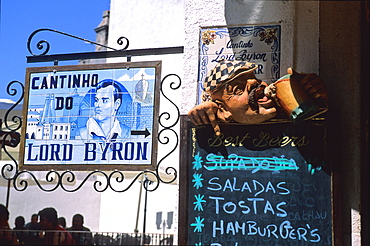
point(239, 95)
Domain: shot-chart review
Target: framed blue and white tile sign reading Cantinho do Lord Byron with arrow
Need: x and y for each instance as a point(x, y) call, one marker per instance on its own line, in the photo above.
point(89, 115)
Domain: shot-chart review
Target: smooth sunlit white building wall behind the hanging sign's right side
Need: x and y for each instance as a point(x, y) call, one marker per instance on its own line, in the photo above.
point(148, 24)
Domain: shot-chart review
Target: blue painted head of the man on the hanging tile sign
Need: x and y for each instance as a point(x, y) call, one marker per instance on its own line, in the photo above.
point(105, 106)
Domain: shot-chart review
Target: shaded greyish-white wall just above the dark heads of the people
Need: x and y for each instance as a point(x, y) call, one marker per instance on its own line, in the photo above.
point(85, 201)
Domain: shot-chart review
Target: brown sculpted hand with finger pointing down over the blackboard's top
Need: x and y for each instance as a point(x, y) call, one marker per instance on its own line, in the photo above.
point(207, 113)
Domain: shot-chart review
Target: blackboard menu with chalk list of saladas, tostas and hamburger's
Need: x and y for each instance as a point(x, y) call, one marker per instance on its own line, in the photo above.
point(255, 185)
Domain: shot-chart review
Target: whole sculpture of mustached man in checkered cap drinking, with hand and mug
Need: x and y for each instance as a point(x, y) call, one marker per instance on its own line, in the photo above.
point(232, 93)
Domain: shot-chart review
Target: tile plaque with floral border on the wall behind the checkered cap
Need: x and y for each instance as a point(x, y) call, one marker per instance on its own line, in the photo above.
point(253, 43)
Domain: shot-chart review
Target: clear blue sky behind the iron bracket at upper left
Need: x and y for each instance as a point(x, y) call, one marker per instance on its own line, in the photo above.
point(19, 18)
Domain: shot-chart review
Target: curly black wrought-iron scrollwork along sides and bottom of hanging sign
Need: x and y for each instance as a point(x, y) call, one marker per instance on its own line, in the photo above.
point(109, 180)
